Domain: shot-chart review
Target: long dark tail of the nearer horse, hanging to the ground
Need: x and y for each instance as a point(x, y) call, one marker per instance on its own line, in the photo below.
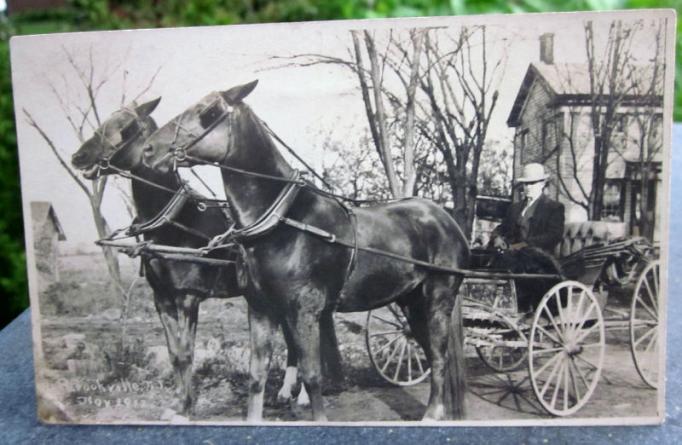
point(455, 378)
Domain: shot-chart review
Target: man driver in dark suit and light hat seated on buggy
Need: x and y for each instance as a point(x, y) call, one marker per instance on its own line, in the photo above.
point(536, 221)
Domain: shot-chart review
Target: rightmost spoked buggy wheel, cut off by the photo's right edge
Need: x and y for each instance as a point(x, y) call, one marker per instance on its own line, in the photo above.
point(644, 324)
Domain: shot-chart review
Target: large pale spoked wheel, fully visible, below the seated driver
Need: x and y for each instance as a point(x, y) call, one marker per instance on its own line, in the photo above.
point(566, 348)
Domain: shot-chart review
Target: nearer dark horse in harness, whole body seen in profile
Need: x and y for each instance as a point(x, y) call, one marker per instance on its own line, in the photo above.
point(307, 265)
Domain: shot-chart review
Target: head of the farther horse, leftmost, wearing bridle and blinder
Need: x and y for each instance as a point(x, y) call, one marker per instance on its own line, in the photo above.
point(117, 142)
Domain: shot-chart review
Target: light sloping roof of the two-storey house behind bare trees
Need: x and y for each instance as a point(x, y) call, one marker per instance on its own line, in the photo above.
point(570, 83)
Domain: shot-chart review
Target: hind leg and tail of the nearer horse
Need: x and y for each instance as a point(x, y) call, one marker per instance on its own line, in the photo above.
point(440, 292)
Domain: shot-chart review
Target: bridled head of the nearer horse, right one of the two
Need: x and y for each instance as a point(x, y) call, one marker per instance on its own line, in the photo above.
point(200, 132)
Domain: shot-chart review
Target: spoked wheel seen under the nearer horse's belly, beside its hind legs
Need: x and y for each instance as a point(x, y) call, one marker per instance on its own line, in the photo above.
point(392, 348)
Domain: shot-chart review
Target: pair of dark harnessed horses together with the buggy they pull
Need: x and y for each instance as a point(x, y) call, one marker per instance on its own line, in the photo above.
point(299, 253)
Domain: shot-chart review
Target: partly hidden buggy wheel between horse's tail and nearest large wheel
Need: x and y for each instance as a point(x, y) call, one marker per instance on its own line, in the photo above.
point(505, 348)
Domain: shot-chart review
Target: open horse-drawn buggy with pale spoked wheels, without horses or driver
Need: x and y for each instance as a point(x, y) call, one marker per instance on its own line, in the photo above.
point(558, 335)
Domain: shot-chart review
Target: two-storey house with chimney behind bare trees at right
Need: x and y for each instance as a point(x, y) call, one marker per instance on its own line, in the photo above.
point(553, 119)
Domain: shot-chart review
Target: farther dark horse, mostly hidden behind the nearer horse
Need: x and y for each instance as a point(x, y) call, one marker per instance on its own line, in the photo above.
point(179, 286)
